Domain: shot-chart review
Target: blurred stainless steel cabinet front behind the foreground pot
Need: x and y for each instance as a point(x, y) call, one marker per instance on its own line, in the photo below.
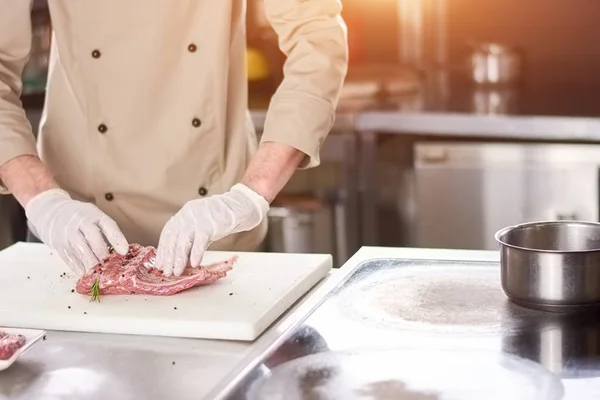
point(465, 192)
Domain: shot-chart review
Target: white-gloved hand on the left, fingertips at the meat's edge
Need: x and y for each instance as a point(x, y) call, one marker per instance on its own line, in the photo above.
point(78, 231)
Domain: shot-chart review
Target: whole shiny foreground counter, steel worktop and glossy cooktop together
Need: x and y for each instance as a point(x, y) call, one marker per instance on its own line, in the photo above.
point(438, 316)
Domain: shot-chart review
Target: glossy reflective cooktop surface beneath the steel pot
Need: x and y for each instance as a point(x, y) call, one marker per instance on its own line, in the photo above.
point(431, 329)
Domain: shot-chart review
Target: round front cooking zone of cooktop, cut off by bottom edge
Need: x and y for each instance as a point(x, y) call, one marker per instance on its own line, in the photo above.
point(408, 374)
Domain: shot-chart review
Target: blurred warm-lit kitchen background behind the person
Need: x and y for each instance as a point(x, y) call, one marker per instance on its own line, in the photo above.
point(458, 118)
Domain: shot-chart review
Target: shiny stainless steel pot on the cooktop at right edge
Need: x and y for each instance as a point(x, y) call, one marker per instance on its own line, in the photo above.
point(551, 265)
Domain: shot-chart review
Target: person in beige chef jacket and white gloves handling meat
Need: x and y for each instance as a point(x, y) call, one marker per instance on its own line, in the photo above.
point(146, 136)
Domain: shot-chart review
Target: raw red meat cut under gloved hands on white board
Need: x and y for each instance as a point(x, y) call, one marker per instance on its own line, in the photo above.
point(134, 274)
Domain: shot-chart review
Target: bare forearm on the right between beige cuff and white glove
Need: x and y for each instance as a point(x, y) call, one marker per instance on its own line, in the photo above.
point(271, 168)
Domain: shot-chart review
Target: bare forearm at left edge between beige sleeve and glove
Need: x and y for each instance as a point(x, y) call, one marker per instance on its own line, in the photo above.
point(26, 177)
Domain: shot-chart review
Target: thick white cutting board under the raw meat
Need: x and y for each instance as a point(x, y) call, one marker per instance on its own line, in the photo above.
point(34, 293)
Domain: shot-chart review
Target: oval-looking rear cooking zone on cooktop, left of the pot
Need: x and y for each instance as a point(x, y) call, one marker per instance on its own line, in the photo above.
point(436, 299)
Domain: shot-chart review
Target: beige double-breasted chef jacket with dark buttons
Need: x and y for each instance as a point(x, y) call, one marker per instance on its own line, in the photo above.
point(146, 102)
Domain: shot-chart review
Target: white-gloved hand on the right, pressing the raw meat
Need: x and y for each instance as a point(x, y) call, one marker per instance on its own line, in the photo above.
point(200, 222)
